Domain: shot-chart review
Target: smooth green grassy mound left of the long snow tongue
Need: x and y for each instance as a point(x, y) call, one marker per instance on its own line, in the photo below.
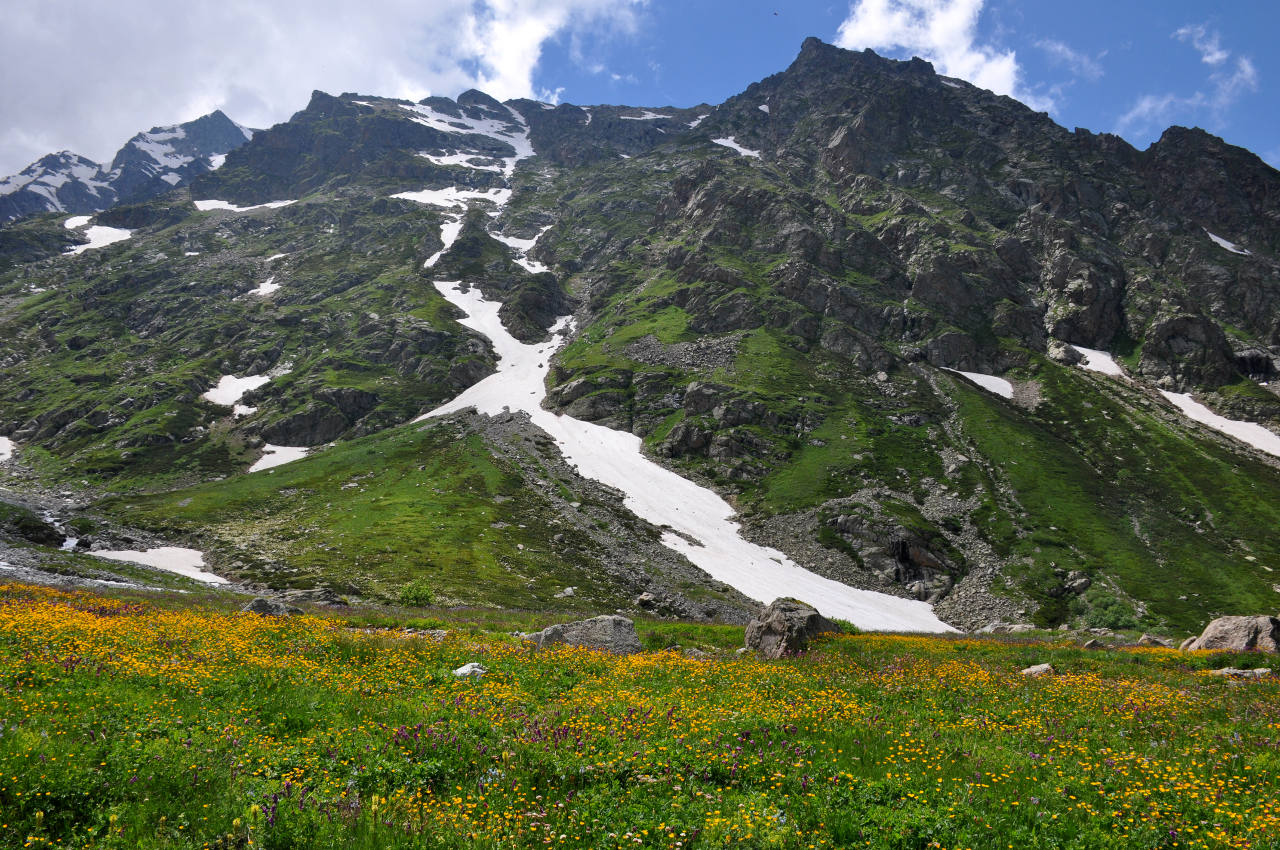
point(427, 504)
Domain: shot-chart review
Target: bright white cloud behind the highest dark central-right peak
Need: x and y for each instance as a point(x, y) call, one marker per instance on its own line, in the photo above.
point(943, 33)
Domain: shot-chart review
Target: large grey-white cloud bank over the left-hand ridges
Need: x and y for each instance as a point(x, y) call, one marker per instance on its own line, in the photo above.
point(88, 77)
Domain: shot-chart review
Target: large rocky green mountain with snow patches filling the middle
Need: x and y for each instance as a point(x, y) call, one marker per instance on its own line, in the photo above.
point(925, 342)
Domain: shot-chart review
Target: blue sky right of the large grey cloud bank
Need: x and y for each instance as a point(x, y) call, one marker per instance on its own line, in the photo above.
point(1127, 67)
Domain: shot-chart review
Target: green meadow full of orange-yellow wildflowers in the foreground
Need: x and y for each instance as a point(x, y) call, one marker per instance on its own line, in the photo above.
point(152, 724)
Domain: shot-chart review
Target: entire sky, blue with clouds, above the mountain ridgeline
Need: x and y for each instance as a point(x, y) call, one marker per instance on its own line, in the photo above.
point(1132, 67)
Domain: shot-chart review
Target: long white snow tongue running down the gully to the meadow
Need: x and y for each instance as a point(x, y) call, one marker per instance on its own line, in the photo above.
point(657, 495)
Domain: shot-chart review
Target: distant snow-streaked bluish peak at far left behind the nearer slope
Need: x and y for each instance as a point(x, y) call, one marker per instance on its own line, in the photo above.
point(149, 164)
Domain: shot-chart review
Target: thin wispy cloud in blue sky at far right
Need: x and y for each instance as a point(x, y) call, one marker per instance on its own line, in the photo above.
point(1226, 85)
